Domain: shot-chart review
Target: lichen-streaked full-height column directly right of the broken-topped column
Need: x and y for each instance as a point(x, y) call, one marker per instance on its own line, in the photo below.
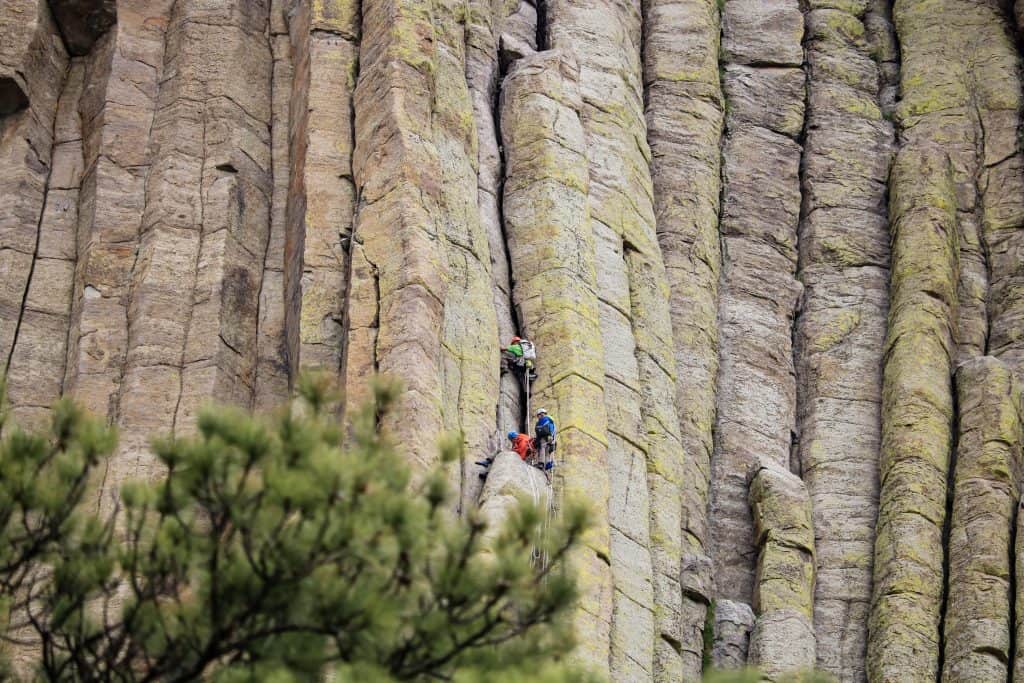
point(646, 453)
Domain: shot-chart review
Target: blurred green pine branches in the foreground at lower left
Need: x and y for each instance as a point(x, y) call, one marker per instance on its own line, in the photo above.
point(274, 550)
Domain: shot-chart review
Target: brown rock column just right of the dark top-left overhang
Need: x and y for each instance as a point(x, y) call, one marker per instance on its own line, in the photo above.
point(117, 110)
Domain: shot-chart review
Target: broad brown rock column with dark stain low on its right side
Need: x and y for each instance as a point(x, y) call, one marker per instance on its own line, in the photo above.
point(195, 289)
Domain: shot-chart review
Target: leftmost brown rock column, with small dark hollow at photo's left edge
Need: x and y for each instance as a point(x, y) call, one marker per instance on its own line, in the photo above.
point(33, 65)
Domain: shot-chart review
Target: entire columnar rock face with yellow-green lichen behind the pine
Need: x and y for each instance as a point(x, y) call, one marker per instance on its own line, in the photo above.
point(772, 253)
